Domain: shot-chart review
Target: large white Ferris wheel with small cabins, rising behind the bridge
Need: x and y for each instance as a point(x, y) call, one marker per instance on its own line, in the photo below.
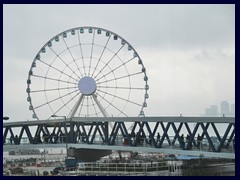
point(87, 72)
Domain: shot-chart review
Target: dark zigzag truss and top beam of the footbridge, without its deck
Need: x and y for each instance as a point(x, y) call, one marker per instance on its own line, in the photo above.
point(90, 132)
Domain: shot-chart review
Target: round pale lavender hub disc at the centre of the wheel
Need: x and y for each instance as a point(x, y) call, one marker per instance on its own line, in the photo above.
point(87, 85)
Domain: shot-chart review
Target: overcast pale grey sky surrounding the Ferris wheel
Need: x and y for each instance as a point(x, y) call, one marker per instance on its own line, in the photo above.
point(188, 50)
